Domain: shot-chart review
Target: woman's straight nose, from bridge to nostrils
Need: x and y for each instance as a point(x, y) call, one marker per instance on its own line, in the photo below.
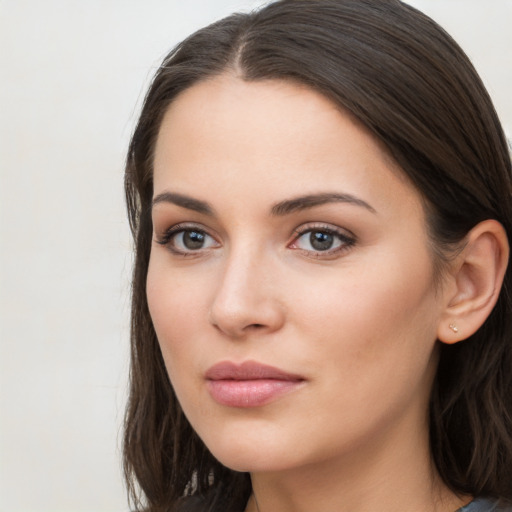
point(247, 299)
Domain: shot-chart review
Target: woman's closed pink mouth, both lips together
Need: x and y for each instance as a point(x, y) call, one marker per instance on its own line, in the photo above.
point(249, 384)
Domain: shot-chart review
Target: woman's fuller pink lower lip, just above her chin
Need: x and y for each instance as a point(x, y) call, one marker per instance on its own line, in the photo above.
point(250, 393)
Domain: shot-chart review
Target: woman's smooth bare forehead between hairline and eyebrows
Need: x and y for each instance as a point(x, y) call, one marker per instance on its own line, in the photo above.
point(268, 138)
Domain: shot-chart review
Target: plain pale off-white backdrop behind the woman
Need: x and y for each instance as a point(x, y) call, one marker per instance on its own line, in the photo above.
point(72, 76)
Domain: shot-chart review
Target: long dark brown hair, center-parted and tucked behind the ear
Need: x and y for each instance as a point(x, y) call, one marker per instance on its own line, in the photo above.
point(413, 87)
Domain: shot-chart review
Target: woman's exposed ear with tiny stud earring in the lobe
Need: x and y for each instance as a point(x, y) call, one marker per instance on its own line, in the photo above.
point(474, 282)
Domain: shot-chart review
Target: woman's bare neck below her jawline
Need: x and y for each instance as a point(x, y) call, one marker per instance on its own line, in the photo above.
point(387, 475)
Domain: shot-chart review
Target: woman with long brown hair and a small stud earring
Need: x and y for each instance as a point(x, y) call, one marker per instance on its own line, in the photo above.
point(320, 198)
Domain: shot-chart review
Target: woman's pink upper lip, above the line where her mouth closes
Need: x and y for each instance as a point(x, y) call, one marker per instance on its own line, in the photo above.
point(248, 370)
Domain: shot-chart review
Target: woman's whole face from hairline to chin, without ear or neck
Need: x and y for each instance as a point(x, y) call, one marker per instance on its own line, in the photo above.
point(290, 281)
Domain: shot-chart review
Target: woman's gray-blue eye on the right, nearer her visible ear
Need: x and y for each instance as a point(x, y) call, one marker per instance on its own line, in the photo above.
point(326, 240)
